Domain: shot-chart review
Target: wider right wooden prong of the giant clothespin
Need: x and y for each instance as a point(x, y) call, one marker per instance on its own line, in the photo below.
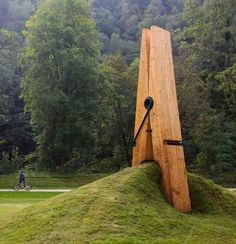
point(165, 120)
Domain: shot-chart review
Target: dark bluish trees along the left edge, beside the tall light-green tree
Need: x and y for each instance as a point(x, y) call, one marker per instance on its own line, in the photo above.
point(16, 137)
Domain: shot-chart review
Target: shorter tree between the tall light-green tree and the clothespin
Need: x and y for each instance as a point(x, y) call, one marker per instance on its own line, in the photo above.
point(119, 103)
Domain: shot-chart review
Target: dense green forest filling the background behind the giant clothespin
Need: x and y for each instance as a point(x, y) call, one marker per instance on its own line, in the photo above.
point(68, 77)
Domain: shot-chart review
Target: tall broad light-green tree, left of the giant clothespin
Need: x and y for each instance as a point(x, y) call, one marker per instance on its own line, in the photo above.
point(60, 85)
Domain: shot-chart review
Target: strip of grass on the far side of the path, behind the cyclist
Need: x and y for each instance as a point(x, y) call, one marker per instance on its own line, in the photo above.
point(50, 181)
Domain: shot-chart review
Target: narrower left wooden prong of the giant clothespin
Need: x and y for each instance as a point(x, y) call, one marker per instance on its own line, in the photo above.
point(139, 151)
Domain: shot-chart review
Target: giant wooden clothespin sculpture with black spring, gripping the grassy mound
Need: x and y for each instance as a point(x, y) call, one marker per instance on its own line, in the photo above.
point(157, 126)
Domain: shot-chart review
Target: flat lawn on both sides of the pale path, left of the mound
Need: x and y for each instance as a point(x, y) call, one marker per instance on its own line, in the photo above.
point(12, 202)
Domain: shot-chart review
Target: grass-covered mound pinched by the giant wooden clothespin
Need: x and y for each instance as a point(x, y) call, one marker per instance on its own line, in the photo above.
point(127, 207)
